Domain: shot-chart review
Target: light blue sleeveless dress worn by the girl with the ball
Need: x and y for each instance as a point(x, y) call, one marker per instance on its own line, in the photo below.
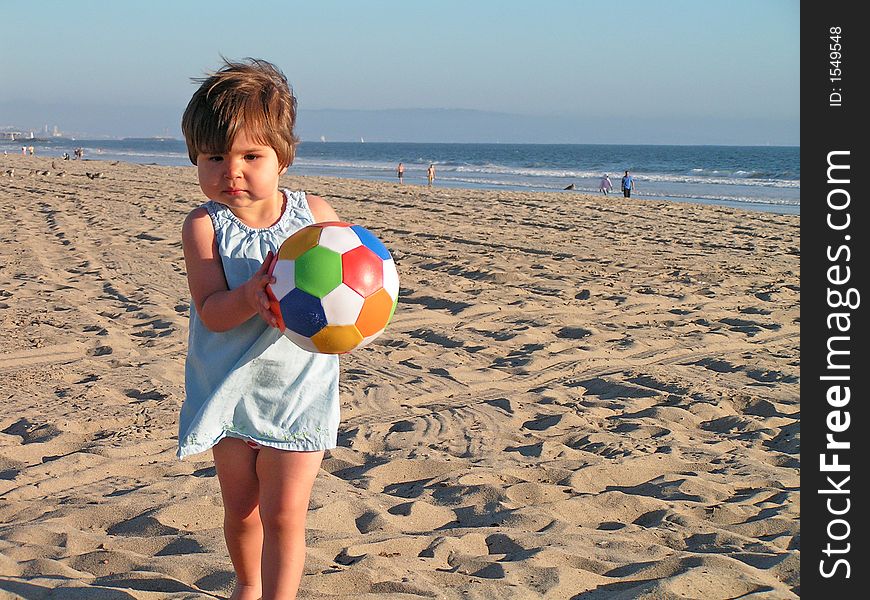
point(251, 382)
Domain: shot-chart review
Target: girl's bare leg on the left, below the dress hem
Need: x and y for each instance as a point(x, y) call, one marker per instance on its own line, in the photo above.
point(236, 465)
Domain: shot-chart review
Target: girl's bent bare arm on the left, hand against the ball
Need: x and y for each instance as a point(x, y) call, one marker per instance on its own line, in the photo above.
point(219, 308)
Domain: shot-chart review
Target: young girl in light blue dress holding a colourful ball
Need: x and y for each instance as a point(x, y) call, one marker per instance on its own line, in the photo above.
point(266, 408)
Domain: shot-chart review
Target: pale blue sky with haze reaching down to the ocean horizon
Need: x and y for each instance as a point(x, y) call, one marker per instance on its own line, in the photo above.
point(707, 71)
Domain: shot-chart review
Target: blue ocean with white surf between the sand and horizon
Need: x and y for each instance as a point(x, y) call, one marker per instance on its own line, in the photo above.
point(763, 178)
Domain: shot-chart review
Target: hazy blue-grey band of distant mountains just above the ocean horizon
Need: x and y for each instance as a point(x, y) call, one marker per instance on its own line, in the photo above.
point(419, 125)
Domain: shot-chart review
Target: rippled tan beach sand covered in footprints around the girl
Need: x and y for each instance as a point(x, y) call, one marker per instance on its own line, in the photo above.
point(579, 398)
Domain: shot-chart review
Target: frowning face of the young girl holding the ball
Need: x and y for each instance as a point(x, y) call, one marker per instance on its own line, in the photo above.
point(243, 177)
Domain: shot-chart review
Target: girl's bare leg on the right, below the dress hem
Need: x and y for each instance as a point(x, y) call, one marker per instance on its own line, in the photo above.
point(286, 479)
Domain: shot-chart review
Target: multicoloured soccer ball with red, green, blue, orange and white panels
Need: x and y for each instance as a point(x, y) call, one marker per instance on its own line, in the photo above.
point(336, 287)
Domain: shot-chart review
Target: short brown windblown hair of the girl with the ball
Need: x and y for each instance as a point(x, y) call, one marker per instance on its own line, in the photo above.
point(253, 95)
